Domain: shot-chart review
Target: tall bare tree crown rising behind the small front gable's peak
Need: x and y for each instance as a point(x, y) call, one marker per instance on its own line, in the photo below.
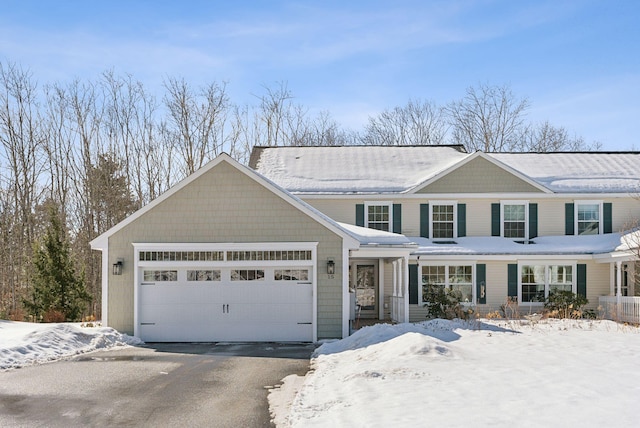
point(488, 118)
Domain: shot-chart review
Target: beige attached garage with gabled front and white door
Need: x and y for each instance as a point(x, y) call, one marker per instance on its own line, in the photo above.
point(226, 255)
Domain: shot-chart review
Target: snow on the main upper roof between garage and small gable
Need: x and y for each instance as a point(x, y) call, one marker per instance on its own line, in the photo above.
point(354, 169)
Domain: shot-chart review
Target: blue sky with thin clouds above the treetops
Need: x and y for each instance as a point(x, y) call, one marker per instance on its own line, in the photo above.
point(578, 61)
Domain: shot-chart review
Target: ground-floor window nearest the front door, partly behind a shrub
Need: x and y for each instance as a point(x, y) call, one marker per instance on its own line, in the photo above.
point(457, 278)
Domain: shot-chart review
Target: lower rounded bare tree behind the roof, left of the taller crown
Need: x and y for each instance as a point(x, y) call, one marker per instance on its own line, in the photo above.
point(416, 123)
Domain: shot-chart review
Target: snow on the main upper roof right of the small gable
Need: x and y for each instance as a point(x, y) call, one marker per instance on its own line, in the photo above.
point(580, 172)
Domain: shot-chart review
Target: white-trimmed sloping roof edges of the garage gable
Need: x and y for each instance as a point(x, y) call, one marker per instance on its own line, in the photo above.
point(101, 242)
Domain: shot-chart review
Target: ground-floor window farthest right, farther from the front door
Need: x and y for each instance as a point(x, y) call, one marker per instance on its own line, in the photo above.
point(538, 281)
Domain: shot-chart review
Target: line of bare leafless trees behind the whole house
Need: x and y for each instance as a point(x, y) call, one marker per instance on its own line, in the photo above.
point(93, 152)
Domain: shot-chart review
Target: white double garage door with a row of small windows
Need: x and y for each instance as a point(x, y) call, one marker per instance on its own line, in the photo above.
point(243, 296)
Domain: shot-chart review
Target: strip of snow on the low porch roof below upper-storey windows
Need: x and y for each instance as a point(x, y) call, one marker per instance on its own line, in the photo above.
point(543, 245)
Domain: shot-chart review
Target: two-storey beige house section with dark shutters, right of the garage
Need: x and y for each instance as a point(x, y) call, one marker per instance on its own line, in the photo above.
point(492, 225)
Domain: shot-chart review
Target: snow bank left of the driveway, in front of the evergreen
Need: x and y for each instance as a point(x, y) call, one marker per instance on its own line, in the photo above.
point(23, 344)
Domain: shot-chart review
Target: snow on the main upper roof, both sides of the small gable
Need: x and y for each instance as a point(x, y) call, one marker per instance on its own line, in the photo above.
point(395, 169)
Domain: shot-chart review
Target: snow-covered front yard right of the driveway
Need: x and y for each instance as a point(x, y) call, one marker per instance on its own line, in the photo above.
point(552, 373)
